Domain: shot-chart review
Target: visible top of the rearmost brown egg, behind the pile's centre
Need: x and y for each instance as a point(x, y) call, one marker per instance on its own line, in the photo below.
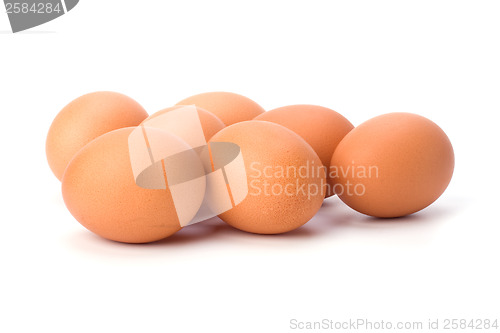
point(229, 107)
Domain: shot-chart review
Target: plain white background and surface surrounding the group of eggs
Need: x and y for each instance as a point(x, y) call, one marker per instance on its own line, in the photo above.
point(440, 59)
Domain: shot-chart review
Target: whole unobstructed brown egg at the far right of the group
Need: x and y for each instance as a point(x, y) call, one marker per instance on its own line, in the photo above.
point(392, 165)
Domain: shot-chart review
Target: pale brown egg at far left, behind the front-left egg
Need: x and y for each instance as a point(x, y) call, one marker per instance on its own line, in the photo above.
point(86, 118)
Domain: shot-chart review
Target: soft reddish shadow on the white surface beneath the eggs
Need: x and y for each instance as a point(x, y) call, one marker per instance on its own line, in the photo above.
point(333, 220)
